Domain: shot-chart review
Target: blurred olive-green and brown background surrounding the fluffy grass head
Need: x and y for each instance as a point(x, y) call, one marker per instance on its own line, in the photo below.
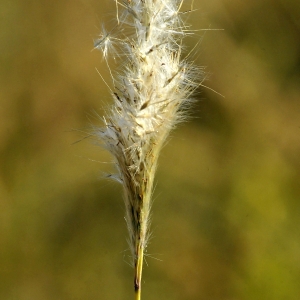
point(226, 205)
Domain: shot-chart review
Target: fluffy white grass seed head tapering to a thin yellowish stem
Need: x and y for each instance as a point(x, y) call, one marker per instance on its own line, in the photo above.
point(151, 93)
